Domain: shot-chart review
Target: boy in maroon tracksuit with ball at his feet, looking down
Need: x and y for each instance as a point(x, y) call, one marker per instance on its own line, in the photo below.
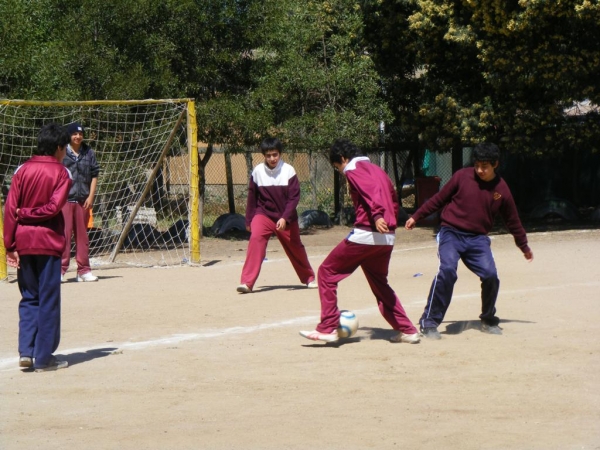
point(368, 246)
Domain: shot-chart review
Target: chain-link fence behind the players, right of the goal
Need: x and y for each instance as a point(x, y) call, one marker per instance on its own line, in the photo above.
point(536, 184)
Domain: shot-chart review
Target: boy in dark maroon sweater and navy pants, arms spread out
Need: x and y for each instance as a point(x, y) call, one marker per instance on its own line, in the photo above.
point(470, 201)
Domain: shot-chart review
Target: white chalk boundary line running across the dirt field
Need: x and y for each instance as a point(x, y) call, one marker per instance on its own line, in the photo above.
point(10, 363)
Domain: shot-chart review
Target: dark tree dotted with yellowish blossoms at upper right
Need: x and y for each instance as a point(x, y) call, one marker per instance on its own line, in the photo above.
point(506, 71)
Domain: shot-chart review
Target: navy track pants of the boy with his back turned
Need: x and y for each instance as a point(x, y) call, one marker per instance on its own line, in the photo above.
point(39, 309)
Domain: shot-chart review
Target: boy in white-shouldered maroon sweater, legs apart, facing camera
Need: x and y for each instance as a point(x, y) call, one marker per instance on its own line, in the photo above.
point(273, 195)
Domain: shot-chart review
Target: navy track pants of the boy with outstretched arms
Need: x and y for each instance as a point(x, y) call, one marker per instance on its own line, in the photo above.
point(475, 252)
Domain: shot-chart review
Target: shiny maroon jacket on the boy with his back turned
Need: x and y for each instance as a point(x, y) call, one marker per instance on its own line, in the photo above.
point(39, 189)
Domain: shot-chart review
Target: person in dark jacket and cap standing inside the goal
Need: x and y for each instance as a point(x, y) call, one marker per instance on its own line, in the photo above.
point(81, 162)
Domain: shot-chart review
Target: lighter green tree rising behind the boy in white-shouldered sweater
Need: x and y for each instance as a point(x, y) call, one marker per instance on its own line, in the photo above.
point(314, 74)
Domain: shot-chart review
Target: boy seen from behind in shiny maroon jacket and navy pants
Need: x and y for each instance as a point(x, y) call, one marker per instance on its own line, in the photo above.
point(34, 240)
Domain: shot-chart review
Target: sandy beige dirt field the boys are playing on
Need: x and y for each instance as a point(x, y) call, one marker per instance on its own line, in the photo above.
point(176, 359)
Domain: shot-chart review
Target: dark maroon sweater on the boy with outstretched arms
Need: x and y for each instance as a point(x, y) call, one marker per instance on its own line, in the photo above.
point(470, 204)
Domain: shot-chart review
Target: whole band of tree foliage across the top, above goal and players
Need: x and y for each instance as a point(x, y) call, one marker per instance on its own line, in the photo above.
point(439, 73)
